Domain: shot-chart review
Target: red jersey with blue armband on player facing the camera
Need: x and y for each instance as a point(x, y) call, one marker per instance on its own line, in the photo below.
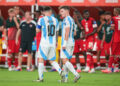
point(89, 25)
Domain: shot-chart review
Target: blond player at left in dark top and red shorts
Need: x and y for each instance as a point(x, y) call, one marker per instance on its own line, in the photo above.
point(12, 25)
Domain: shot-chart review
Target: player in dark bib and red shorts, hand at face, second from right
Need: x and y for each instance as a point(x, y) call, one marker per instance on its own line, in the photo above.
point(108, 34)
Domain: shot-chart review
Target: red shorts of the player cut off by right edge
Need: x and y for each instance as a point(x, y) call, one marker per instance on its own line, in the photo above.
point(115, 48)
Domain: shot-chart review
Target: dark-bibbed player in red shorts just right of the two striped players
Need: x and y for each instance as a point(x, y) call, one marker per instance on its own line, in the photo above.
point(77, 19)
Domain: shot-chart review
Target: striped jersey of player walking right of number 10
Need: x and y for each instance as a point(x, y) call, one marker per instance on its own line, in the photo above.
point(68, 22)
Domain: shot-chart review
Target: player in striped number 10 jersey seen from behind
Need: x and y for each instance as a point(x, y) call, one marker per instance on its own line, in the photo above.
point(47, 50)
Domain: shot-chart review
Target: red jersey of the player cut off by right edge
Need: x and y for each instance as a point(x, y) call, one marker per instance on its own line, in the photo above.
point(116, 35)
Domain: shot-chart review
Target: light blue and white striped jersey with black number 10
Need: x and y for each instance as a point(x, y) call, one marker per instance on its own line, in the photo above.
point(48, 25)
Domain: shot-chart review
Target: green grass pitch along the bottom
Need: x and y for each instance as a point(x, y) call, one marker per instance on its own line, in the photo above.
point(25, 78)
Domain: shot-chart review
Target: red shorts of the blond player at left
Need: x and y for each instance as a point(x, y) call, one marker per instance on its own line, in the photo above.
point(13, 47)
